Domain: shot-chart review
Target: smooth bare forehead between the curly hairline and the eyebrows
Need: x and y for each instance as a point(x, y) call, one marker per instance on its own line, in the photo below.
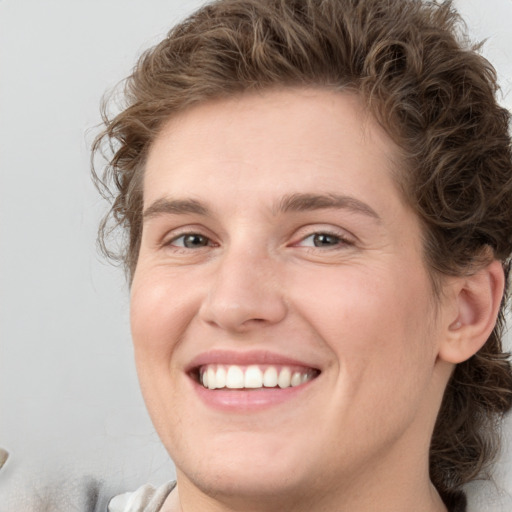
point(278, 140)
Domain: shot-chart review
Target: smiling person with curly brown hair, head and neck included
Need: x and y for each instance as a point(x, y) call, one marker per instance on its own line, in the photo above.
point(317, 201)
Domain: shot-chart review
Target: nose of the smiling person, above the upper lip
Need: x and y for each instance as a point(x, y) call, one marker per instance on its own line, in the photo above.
point(246, 292)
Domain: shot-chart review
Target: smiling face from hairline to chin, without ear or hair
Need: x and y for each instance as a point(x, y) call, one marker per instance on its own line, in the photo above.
point(283, 319)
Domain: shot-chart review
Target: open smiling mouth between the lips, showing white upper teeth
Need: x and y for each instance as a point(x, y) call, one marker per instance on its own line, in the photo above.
point(250, 377)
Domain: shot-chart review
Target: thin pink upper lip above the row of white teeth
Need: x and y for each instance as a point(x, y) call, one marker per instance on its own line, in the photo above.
point(245, 358)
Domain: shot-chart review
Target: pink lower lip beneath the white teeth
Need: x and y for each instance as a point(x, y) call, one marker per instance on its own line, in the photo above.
point(248, 400)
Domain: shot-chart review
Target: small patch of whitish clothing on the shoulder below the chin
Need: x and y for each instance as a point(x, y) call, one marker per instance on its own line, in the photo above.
point(145, 499)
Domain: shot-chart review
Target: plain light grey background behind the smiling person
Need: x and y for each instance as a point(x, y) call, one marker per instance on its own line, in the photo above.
point(69, 399)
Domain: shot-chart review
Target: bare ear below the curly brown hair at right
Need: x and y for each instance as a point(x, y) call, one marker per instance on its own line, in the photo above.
point(477, 300)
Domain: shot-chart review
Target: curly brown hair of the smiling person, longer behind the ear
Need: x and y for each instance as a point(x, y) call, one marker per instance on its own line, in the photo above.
point(418, 74)
